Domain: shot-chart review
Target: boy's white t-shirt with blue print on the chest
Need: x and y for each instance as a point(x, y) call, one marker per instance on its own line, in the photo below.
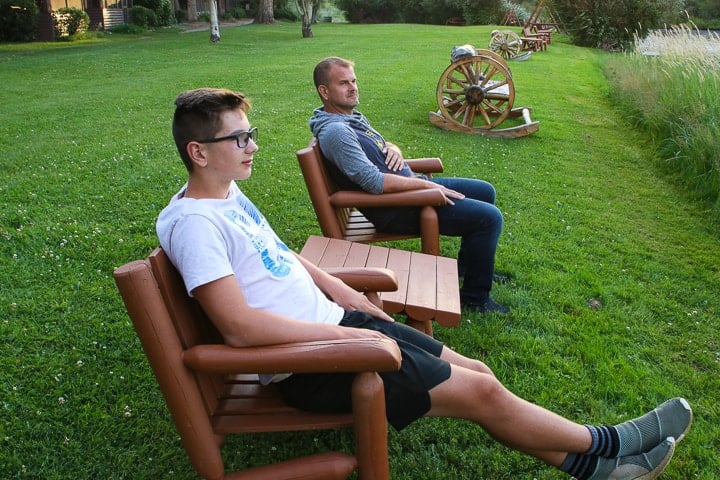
point(210, 239)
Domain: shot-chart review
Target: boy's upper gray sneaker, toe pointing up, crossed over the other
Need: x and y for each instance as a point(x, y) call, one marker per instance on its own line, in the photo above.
point(671, 419)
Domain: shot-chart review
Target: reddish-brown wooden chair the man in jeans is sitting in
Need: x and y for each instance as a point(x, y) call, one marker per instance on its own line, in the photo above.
point(337, 210)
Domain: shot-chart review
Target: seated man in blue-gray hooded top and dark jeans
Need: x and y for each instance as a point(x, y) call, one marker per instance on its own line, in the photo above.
point(361, 159)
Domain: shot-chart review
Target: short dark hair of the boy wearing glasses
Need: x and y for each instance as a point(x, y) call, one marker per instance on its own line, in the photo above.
point(198, 115)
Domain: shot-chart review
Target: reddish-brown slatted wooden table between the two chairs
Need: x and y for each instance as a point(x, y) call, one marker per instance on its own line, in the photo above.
point(428, 287)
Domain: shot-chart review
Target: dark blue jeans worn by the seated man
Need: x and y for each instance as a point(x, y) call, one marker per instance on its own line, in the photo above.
point(475, 219)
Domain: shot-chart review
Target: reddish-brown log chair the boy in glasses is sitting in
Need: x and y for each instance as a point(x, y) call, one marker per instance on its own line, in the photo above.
point(212, 390)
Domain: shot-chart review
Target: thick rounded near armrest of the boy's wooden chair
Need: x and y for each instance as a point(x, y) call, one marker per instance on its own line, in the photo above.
point(354, 355)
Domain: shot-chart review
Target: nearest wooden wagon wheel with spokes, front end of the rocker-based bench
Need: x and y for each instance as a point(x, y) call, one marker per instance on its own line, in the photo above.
point(476, 92)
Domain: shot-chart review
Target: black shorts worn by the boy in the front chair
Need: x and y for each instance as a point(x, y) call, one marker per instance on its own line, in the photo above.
point(406, 390)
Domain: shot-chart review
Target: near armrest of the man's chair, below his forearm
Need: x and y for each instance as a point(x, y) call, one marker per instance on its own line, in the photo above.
point(409, 198)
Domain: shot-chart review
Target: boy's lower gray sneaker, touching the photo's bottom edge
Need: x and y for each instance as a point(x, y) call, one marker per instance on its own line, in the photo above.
point(646, 466)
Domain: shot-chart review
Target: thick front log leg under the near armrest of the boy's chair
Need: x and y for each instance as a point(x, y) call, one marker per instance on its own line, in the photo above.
point(370, 426)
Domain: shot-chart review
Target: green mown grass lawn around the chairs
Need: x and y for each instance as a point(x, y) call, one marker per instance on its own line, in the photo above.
point(88, 162)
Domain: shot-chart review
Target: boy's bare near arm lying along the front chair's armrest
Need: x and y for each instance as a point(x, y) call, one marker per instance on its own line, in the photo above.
point(243, 326)
